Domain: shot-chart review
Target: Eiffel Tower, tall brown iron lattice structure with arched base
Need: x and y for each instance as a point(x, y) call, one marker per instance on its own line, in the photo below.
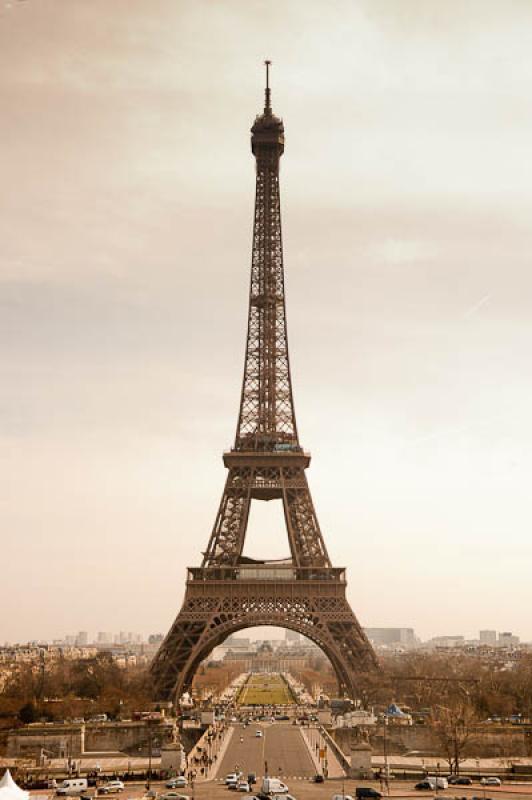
point(230, 592)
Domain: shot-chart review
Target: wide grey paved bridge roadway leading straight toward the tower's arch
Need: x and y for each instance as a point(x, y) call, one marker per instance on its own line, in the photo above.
point(281, 746)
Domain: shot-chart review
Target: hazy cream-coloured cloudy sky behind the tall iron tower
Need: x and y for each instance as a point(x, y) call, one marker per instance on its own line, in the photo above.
point(125, 235)
